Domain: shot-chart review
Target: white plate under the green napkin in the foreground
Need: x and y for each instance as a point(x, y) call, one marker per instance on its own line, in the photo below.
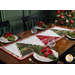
point(42, 58)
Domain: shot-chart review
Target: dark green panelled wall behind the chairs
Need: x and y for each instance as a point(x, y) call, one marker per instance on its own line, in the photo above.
point(15, 18)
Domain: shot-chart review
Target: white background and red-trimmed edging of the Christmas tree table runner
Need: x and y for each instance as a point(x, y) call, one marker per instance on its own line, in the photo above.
point(13, 50)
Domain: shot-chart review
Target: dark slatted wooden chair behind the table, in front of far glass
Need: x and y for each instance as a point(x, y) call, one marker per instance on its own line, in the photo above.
point(29, 21)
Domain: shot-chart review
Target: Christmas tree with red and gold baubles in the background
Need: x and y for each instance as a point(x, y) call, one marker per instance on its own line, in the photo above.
point(65, 18)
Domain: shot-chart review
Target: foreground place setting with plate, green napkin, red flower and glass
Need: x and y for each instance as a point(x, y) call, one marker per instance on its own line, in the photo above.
point(47, 54)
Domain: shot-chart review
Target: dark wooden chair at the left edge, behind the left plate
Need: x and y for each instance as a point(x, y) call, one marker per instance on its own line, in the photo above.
point(4, 27)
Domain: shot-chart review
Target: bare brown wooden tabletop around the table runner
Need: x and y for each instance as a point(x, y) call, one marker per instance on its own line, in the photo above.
point(61, 46)
